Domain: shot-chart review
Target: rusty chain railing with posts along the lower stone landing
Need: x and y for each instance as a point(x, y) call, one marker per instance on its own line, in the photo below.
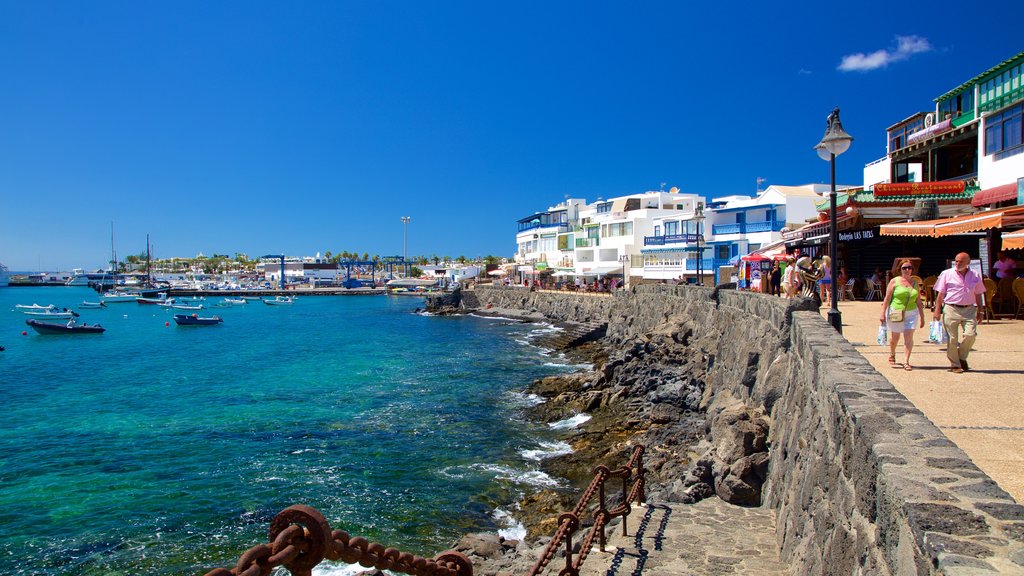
point(570, 522)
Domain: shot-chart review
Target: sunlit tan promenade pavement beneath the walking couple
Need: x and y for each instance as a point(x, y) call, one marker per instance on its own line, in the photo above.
point(983, 410)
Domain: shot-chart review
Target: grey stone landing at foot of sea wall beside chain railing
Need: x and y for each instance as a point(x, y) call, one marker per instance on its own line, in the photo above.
point(710, 539)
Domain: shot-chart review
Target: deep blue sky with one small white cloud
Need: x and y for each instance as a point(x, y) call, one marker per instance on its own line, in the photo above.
point(297, 128)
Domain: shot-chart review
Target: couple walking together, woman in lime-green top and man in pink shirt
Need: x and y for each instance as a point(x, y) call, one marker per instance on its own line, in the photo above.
point(958, 307)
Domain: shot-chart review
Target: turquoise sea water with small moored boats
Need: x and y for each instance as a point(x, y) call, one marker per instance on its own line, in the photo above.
point(167, 450)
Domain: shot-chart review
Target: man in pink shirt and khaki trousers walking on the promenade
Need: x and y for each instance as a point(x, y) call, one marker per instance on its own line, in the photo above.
point(959, 301)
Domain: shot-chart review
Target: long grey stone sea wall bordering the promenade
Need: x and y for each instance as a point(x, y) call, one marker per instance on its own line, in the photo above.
point(861, 481)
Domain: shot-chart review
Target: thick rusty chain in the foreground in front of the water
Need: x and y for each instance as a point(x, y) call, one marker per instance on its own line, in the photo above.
point(301, 539)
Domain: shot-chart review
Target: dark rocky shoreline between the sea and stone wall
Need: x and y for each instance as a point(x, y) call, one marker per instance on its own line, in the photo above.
point(648, 391)
